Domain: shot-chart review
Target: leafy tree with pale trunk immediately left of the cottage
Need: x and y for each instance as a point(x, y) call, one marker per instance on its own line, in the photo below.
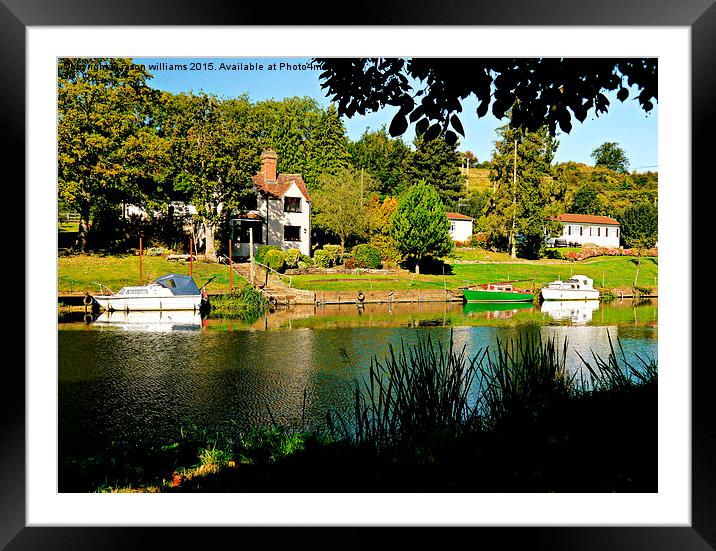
point(216, 150)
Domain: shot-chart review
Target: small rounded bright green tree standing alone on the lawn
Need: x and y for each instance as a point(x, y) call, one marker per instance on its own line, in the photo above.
point(420, 227)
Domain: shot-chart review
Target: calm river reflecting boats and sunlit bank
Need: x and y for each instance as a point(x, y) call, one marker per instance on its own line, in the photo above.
point(130, 381)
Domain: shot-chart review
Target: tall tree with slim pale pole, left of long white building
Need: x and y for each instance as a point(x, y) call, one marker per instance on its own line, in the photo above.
point(526, 197)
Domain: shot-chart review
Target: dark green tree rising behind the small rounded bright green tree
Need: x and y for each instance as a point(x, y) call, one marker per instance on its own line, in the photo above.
point(438, 163)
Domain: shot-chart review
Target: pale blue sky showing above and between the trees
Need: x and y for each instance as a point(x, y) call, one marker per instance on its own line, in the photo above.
point(634, 130)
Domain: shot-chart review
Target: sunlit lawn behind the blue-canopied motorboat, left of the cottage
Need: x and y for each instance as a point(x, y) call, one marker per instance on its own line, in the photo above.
point(78, 273)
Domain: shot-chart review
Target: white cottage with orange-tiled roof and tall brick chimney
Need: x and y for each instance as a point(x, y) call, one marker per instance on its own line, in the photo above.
point(281, 215)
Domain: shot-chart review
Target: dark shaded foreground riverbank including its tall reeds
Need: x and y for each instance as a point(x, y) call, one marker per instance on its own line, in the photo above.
point(534, 427)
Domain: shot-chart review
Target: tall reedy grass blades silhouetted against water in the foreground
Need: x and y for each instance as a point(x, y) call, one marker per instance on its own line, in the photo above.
point(427, 395)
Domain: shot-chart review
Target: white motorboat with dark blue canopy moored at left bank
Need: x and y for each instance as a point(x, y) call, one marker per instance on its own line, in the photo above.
point(169, 292)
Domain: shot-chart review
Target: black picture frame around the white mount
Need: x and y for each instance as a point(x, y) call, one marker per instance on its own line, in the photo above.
point(16, 15)
